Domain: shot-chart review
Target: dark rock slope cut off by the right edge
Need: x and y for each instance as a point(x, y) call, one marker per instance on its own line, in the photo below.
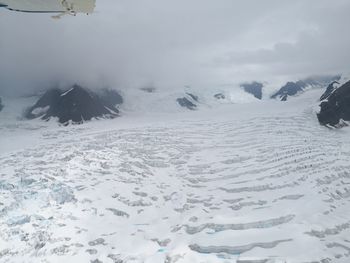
point(335, 109)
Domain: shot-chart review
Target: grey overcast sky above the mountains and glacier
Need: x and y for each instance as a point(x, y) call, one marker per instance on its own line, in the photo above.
point(201, 43)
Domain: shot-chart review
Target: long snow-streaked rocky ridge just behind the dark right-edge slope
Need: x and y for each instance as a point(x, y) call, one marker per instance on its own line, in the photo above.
point(294, 88)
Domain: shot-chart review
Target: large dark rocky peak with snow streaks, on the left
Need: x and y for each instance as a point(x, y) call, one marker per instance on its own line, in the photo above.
point(75, 105)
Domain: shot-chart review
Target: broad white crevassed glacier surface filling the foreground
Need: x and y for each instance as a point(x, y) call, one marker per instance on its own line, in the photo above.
point(254, 182)
